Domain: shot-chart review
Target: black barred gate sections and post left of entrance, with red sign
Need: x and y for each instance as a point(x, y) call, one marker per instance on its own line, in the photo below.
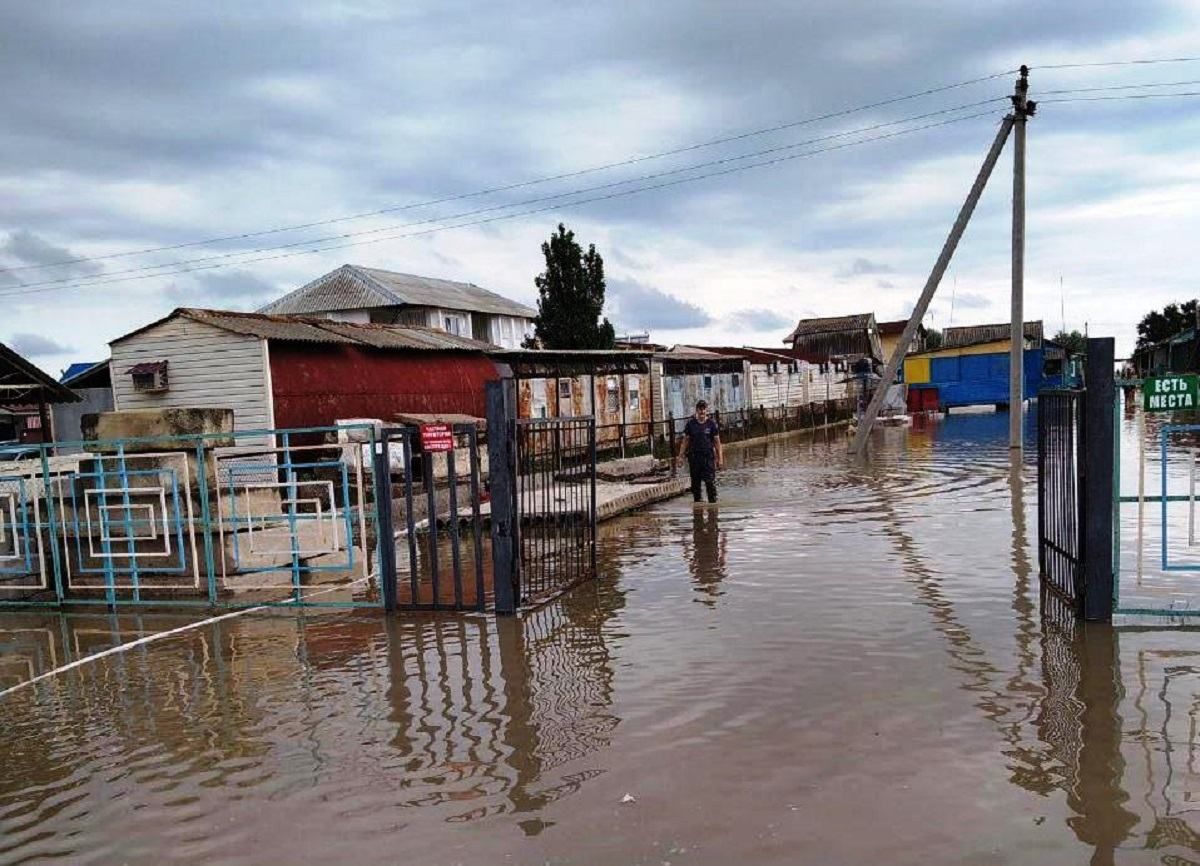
point(487, 525)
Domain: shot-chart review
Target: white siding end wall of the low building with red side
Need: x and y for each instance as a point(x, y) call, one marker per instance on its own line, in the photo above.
point(207, 368)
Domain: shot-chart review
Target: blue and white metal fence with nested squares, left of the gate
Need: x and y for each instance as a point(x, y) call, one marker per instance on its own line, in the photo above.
point(255, 518)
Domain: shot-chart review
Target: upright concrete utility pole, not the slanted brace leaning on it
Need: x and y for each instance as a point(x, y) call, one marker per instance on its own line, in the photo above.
point(1023, 110)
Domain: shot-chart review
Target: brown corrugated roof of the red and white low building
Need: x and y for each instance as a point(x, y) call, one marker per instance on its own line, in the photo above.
point(299, 329)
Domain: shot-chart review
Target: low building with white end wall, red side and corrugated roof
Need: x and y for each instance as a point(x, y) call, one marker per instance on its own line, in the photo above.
point(289, 372)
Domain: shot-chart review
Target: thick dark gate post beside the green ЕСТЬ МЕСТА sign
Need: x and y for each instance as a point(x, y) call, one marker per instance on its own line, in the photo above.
point(1100, 453)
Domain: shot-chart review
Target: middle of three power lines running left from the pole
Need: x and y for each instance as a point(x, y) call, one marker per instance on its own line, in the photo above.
point(541, 200)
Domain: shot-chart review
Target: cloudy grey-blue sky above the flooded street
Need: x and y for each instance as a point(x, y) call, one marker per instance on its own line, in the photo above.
point(134, 127)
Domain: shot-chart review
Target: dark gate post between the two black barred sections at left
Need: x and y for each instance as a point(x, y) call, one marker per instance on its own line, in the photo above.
point(501, 474)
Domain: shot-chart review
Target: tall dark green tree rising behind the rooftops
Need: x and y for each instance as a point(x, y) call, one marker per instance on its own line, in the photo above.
point(571, 297)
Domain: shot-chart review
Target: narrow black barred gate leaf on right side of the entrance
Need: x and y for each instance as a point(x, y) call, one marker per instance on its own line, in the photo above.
point(1061, 491)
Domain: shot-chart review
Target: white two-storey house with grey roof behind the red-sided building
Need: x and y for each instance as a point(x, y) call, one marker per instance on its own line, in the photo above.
point(371, 296)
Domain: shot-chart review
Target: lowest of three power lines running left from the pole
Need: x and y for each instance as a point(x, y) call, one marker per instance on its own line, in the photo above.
point(676, 182)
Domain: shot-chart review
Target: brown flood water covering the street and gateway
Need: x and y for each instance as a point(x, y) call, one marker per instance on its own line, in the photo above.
point(843, 664)
